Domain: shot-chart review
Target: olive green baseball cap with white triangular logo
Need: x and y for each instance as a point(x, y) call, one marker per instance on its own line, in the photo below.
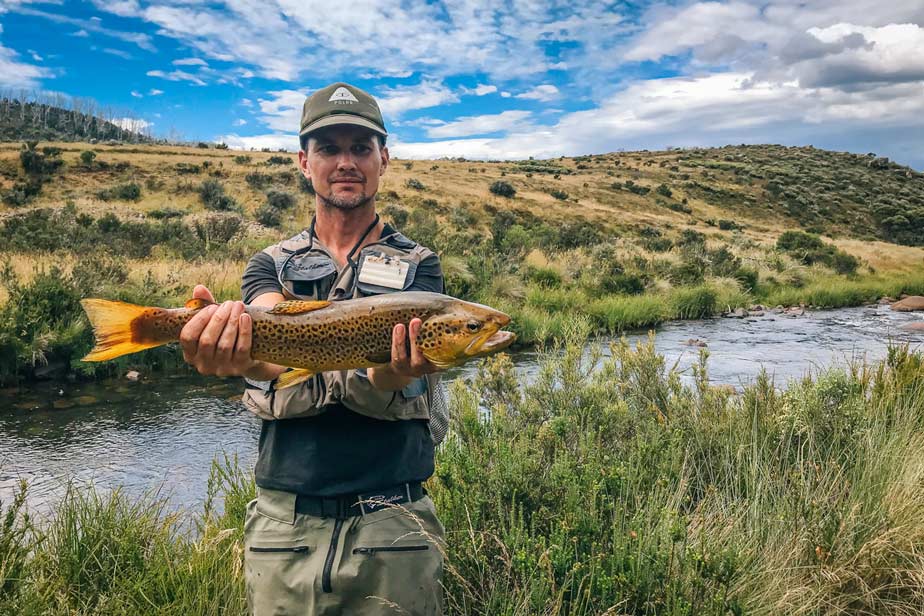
point(341, 103)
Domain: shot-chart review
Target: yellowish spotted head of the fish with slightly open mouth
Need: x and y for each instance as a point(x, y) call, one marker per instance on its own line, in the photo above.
point(462, 331)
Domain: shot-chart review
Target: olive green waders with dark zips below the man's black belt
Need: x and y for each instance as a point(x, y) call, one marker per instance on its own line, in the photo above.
point(384, 562)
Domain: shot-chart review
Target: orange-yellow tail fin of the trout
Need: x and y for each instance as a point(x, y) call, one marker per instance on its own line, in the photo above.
point(114, 325)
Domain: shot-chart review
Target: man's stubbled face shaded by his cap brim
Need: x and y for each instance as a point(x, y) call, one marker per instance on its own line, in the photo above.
point(344, 164)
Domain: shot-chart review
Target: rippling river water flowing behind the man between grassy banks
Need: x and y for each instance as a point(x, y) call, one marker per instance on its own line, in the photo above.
point(162, 434)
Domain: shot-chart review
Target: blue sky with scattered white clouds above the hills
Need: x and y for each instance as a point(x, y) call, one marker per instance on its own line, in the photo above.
point(492, 80)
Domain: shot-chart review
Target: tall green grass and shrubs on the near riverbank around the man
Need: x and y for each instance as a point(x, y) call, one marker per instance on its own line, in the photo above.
point(608, 486)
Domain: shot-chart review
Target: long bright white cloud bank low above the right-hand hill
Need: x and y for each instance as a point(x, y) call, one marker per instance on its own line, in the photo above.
point(708, 110)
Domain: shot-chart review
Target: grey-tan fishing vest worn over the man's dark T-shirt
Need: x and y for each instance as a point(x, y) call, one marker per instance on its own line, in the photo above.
point(306, 270)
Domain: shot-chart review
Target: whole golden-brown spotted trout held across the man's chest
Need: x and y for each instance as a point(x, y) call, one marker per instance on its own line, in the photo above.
point(317, 336)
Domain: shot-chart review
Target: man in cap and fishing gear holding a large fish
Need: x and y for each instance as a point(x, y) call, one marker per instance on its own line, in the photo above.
point(341, 524)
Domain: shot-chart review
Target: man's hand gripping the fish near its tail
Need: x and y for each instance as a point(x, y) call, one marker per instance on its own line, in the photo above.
point(218, 340)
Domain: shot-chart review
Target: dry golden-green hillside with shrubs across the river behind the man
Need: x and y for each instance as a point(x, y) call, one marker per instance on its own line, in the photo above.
point(625, 240)
